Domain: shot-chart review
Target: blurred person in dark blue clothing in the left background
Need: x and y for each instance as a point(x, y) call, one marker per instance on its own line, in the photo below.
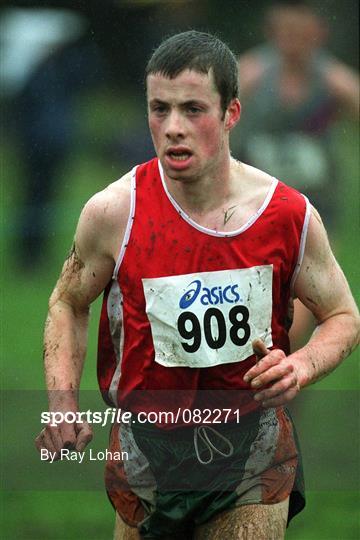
point(45, 123)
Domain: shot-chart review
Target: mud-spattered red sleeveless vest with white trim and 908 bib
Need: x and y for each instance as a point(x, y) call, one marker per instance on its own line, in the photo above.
point(186, 302)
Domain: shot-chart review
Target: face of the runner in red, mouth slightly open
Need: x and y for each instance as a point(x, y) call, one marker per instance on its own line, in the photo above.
point(186, 122)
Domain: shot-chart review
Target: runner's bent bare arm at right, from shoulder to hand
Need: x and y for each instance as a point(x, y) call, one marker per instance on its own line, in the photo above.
point(322, 287)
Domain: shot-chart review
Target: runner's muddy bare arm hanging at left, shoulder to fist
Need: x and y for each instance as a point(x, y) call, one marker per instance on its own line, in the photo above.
point(85, 274)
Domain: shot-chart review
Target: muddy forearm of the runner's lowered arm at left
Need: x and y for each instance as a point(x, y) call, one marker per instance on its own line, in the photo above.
point(64, 353)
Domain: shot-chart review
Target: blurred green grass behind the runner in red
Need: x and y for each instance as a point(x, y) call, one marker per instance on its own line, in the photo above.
point(329, 435)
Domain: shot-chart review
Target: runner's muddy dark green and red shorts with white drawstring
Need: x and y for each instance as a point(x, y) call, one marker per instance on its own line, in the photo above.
point(173, 480)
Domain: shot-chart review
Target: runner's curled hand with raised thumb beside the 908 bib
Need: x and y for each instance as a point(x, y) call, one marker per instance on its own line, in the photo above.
point(274, 377)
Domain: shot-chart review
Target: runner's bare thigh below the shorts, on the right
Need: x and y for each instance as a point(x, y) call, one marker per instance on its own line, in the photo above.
point(248, 522)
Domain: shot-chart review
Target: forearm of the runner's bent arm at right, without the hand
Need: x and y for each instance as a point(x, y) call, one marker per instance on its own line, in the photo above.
point(332, 342)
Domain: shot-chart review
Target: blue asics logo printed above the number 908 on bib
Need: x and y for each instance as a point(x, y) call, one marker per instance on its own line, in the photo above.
point(214, 296)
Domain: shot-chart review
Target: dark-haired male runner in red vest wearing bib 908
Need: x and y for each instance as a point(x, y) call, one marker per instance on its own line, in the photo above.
point(199, 257)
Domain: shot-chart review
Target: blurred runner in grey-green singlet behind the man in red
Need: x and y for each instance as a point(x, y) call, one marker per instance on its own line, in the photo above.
point(292, 92)
